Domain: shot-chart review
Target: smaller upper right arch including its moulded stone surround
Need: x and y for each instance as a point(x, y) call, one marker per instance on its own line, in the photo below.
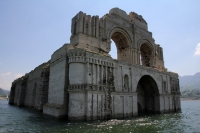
point(146, 53)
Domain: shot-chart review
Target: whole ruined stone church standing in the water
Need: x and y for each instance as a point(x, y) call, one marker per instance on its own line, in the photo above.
point(82, 81)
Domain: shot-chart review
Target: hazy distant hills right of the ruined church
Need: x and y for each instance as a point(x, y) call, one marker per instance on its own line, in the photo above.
point(190, 86)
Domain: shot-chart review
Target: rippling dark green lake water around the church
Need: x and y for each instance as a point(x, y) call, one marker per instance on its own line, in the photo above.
point(19, 120)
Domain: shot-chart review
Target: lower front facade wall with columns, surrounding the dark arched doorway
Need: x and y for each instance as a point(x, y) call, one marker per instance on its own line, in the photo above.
point(107, 88)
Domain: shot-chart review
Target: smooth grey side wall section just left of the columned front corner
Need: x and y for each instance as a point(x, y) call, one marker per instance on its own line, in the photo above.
point(58, 83)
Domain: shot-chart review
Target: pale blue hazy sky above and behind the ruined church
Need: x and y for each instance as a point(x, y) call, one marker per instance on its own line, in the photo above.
point(30, 31)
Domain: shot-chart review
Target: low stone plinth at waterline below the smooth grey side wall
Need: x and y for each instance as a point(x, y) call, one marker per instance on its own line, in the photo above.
point(55, 110)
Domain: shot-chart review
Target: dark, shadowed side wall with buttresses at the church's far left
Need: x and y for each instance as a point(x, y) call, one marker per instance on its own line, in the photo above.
point(31, 90)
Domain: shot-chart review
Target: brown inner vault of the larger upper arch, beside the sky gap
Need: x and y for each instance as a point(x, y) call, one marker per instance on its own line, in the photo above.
point(122, 46)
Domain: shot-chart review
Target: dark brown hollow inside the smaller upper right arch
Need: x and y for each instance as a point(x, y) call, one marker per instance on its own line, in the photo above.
point(146, 54)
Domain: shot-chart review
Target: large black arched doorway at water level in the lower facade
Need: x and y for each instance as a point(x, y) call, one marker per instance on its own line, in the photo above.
point(148, 95)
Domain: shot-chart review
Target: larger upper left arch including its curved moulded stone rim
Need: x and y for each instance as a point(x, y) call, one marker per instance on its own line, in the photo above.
point(122, 41)
